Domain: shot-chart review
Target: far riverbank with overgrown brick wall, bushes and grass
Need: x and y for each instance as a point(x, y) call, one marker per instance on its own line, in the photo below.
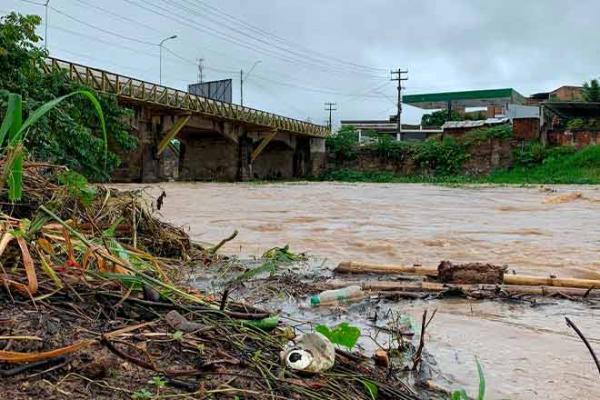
point(489, 156)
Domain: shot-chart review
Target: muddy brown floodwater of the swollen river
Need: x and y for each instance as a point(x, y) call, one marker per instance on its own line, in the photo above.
point(527, 352)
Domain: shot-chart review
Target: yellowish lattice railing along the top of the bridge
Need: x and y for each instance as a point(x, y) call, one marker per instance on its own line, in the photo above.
point(147, 92)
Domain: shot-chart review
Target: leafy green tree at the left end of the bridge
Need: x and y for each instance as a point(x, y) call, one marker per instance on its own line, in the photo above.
point(71, 134)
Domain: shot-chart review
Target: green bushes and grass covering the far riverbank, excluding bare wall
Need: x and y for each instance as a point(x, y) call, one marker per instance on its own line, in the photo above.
point(440, 160)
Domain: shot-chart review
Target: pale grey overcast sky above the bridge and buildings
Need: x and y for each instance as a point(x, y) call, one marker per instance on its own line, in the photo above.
point(341, 51)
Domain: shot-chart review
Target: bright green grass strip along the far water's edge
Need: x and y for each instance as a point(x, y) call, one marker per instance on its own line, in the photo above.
point(556, 167)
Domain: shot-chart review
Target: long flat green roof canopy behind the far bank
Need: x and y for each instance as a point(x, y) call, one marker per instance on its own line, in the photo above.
point(470, 98)
